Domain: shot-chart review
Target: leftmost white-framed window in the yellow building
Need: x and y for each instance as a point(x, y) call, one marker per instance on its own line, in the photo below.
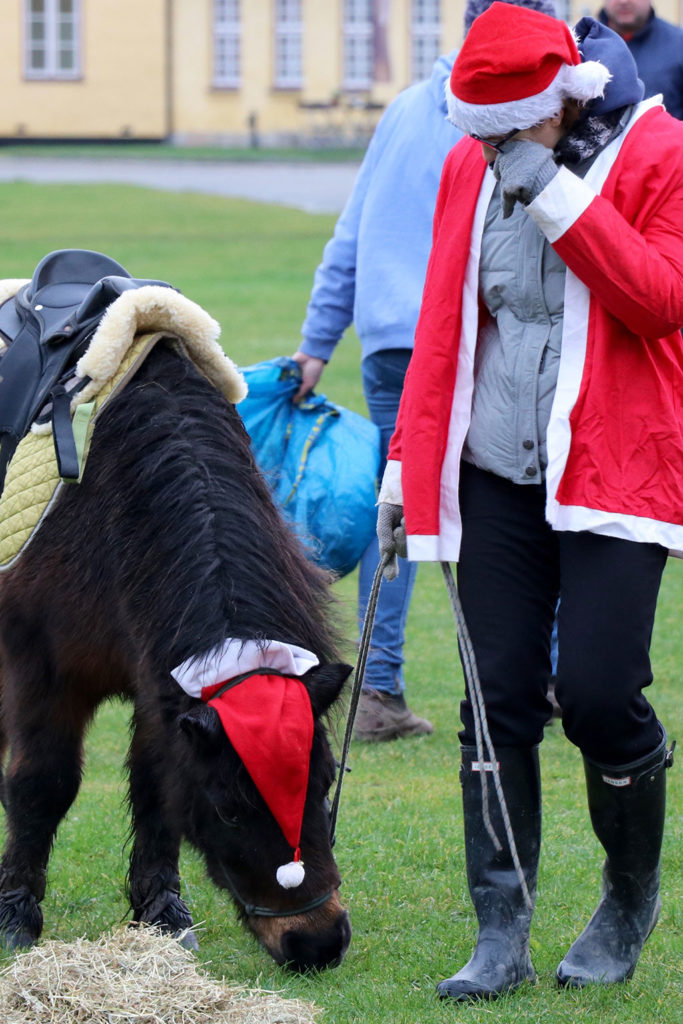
point(53, 39)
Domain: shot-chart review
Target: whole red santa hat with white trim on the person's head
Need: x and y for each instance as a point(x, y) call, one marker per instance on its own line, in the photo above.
point(516, 69)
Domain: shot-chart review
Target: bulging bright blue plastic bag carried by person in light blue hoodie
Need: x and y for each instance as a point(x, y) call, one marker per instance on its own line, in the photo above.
point(320, 459)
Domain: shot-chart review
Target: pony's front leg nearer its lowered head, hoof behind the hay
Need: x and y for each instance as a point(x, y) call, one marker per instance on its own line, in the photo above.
point(154, 880)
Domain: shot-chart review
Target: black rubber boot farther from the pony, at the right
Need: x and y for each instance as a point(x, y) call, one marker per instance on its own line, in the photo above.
point(627, 807)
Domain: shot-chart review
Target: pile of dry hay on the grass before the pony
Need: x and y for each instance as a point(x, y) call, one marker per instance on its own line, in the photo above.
point(132, 976)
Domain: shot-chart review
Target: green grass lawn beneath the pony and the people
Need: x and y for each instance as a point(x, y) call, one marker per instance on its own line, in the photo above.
point(400, 837)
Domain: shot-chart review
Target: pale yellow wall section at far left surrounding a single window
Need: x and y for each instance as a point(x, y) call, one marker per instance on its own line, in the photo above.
point(121, 91)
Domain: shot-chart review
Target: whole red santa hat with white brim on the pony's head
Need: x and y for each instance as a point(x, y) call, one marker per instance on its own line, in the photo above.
point(267, 714)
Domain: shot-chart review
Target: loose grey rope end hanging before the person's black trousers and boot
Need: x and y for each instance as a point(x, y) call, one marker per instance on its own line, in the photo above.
point(482, 734)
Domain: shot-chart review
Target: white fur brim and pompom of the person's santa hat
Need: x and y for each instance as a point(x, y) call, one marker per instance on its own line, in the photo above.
point(584, 82)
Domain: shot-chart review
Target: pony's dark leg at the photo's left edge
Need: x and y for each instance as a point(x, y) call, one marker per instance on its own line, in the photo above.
point(41, 783)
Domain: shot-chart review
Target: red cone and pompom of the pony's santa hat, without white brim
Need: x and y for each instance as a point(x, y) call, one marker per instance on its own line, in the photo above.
point(269, 719)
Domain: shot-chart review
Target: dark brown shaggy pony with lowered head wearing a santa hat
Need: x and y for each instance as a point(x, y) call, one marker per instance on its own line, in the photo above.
point(167, 577)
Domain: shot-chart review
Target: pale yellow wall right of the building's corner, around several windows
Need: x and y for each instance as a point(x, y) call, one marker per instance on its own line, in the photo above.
point(206, 113)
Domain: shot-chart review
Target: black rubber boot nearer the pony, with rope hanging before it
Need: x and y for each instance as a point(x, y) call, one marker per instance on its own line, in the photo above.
point(501, 960)
